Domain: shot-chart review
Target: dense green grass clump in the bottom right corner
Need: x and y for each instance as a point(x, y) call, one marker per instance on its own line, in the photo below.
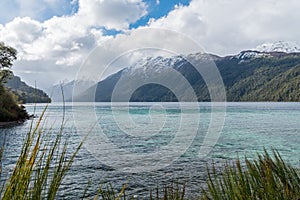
point(267, 177)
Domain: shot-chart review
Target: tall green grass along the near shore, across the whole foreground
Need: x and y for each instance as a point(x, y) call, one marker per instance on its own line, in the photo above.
point(43, 164)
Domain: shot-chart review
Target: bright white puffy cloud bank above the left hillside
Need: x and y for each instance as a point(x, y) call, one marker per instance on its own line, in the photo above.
point(65, 41)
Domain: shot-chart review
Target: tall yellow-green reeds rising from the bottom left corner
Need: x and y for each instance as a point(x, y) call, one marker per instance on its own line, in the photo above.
point(41, 165)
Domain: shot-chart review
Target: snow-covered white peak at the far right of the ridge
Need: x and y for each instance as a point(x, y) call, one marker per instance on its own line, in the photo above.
point(280, 46)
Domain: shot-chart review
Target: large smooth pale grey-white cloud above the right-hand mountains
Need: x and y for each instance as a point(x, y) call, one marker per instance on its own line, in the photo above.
point(229, 26)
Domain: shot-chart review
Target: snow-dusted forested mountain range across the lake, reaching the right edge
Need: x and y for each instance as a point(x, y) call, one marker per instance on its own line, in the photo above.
point(270, 72)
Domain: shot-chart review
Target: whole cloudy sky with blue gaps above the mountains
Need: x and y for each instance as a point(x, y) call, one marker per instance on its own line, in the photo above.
point(54, 37)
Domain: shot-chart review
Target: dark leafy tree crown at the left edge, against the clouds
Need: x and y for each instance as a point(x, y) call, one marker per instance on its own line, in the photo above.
point(7, 56)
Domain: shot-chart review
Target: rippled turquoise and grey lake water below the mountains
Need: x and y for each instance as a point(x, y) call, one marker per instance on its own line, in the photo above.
point(150, 144)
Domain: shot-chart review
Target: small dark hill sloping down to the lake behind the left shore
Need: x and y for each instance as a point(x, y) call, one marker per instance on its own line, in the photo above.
point(25, 93)
